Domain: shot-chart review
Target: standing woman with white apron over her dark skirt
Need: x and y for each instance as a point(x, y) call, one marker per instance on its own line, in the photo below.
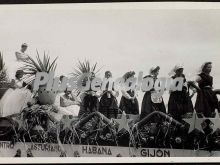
point(151, 102)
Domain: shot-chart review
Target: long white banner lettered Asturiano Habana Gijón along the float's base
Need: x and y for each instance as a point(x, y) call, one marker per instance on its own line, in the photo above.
point(54, 150)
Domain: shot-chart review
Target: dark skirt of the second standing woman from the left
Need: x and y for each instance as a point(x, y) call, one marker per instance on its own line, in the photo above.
point(108, 106)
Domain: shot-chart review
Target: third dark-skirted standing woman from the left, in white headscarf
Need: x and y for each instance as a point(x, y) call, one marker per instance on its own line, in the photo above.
point(129, 102)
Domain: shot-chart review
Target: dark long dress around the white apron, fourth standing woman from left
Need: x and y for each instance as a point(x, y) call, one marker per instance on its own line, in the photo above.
point(148, 106)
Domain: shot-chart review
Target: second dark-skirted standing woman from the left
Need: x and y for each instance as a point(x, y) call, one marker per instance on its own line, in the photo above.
point(108, 102)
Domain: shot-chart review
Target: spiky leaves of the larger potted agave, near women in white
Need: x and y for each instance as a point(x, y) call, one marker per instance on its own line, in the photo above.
point(31, 66)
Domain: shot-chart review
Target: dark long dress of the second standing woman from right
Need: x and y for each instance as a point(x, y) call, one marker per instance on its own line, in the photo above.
point(180, 102)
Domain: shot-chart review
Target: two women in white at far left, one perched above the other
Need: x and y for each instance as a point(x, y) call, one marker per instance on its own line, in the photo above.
point(15, 99)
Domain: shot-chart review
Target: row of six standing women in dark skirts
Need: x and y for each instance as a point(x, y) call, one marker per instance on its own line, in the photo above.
point(179, 104)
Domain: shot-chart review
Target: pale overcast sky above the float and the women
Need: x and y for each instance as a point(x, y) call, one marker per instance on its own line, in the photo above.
point(118, 40)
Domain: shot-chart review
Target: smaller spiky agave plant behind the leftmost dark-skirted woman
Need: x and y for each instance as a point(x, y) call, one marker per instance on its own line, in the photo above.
point(83, 68)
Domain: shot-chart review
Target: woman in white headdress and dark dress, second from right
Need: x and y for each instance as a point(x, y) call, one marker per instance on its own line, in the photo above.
point(180, 102)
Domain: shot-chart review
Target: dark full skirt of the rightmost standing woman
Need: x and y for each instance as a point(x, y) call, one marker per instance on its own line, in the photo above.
point(206, 102)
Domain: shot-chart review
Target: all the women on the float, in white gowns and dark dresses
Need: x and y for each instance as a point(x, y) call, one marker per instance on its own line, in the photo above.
point(179, 104)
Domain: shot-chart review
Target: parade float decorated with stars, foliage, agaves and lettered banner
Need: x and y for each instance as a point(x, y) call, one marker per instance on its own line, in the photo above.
point(42, 130)
